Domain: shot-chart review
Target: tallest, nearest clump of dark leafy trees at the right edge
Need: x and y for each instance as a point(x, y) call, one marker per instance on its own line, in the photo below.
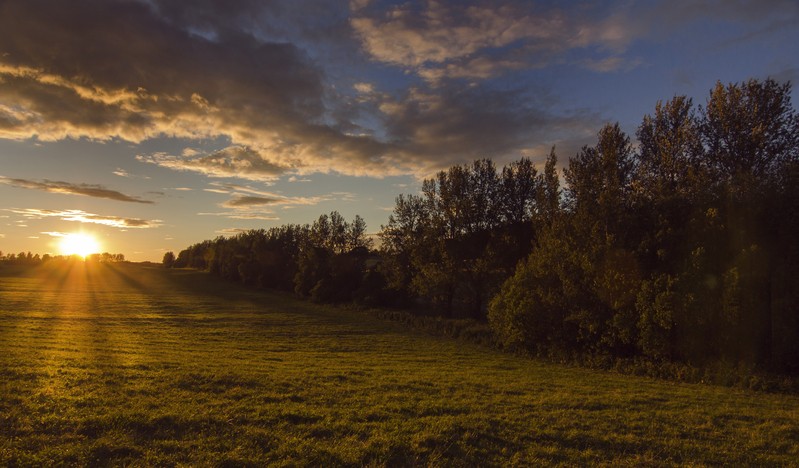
point(685, 250)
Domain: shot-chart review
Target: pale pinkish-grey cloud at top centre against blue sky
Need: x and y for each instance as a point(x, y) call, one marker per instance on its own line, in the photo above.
point(449, 39)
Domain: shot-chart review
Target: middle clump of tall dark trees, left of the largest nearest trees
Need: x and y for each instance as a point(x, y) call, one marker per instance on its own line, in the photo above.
point(453, 245)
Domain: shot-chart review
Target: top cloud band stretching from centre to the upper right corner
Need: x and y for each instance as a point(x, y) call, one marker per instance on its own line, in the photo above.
point(440, 40)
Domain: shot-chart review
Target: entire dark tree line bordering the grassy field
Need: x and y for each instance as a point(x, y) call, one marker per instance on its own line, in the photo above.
point(681, 248)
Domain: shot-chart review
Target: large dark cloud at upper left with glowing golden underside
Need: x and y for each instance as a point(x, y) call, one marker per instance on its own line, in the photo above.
point(185, 71)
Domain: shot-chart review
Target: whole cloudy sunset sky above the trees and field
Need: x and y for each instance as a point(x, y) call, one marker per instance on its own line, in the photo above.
point(156, 124)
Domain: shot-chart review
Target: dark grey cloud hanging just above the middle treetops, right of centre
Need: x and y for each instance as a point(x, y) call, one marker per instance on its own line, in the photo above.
point(439, 129)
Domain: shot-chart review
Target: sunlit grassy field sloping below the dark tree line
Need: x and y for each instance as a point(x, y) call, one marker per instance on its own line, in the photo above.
point(127, 364)
